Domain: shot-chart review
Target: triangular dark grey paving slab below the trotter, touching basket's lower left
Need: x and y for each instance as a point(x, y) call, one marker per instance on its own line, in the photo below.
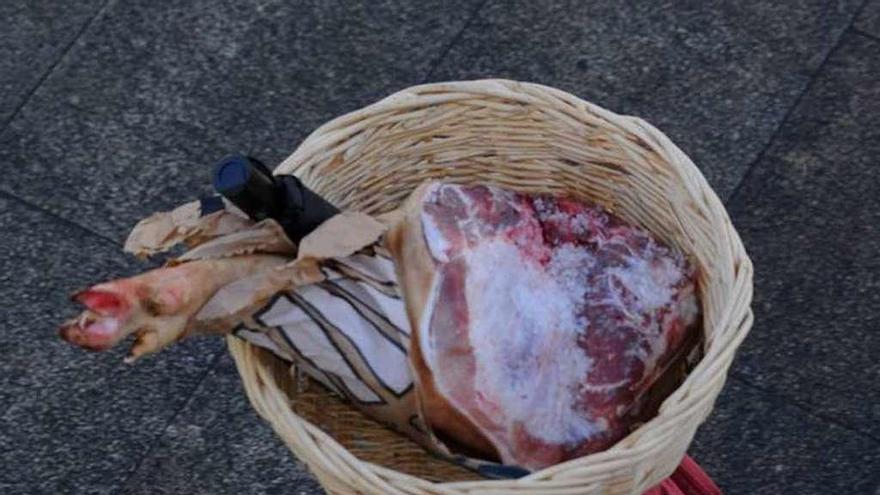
point(218, 444)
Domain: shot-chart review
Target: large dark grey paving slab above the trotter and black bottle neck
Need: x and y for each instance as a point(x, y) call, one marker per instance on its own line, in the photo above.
point(155, 92)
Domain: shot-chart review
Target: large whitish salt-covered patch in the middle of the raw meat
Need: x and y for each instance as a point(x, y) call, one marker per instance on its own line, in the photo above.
point(523, 329)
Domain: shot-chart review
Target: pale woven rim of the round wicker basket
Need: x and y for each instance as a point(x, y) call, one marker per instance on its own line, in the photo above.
point(267, 397)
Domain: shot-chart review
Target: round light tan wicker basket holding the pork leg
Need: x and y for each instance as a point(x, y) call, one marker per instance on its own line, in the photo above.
point(532, 138)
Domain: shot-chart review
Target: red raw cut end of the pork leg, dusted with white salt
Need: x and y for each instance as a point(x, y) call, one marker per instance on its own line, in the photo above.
point(539, 321)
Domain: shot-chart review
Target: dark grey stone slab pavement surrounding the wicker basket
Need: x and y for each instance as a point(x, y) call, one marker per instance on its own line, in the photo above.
point(114, 109)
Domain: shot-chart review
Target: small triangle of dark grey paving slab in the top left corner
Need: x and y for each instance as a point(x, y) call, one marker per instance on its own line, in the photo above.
point(34, 37)
